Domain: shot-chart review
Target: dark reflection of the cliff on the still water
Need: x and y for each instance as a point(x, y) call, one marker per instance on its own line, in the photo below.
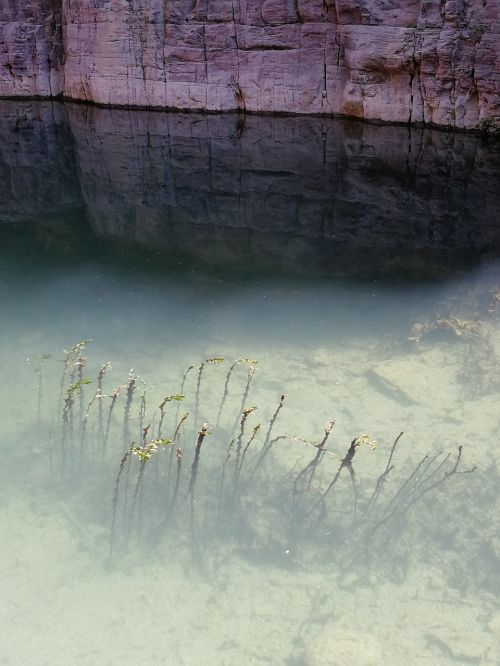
point(306, 194)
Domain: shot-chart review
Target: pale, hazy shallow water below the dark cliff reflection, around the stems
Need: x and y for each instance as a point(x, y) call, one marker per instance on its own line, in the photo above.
point(262, 575)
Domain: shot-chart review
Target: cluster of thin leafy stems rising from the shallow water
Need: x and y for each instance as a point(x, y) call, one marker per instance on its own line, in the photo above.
point(166, 473)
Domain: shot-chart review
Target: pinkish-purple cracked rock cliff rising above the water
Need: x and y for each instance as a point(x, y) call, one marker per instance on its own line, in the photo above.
point(432, 61)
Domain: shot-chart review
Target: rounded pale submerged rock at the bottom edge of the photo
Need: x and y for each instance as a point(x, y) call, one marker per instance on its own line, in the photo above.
point(338, 646)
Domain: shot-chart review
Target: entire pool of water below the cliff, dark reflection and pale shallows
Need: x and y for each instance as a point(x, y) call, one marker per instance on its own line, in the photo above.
point(132, 229)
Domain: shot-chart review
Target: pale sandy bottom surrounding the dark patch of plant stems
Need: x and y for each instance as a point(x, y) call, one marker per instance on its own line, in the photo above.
point(63, 602)
